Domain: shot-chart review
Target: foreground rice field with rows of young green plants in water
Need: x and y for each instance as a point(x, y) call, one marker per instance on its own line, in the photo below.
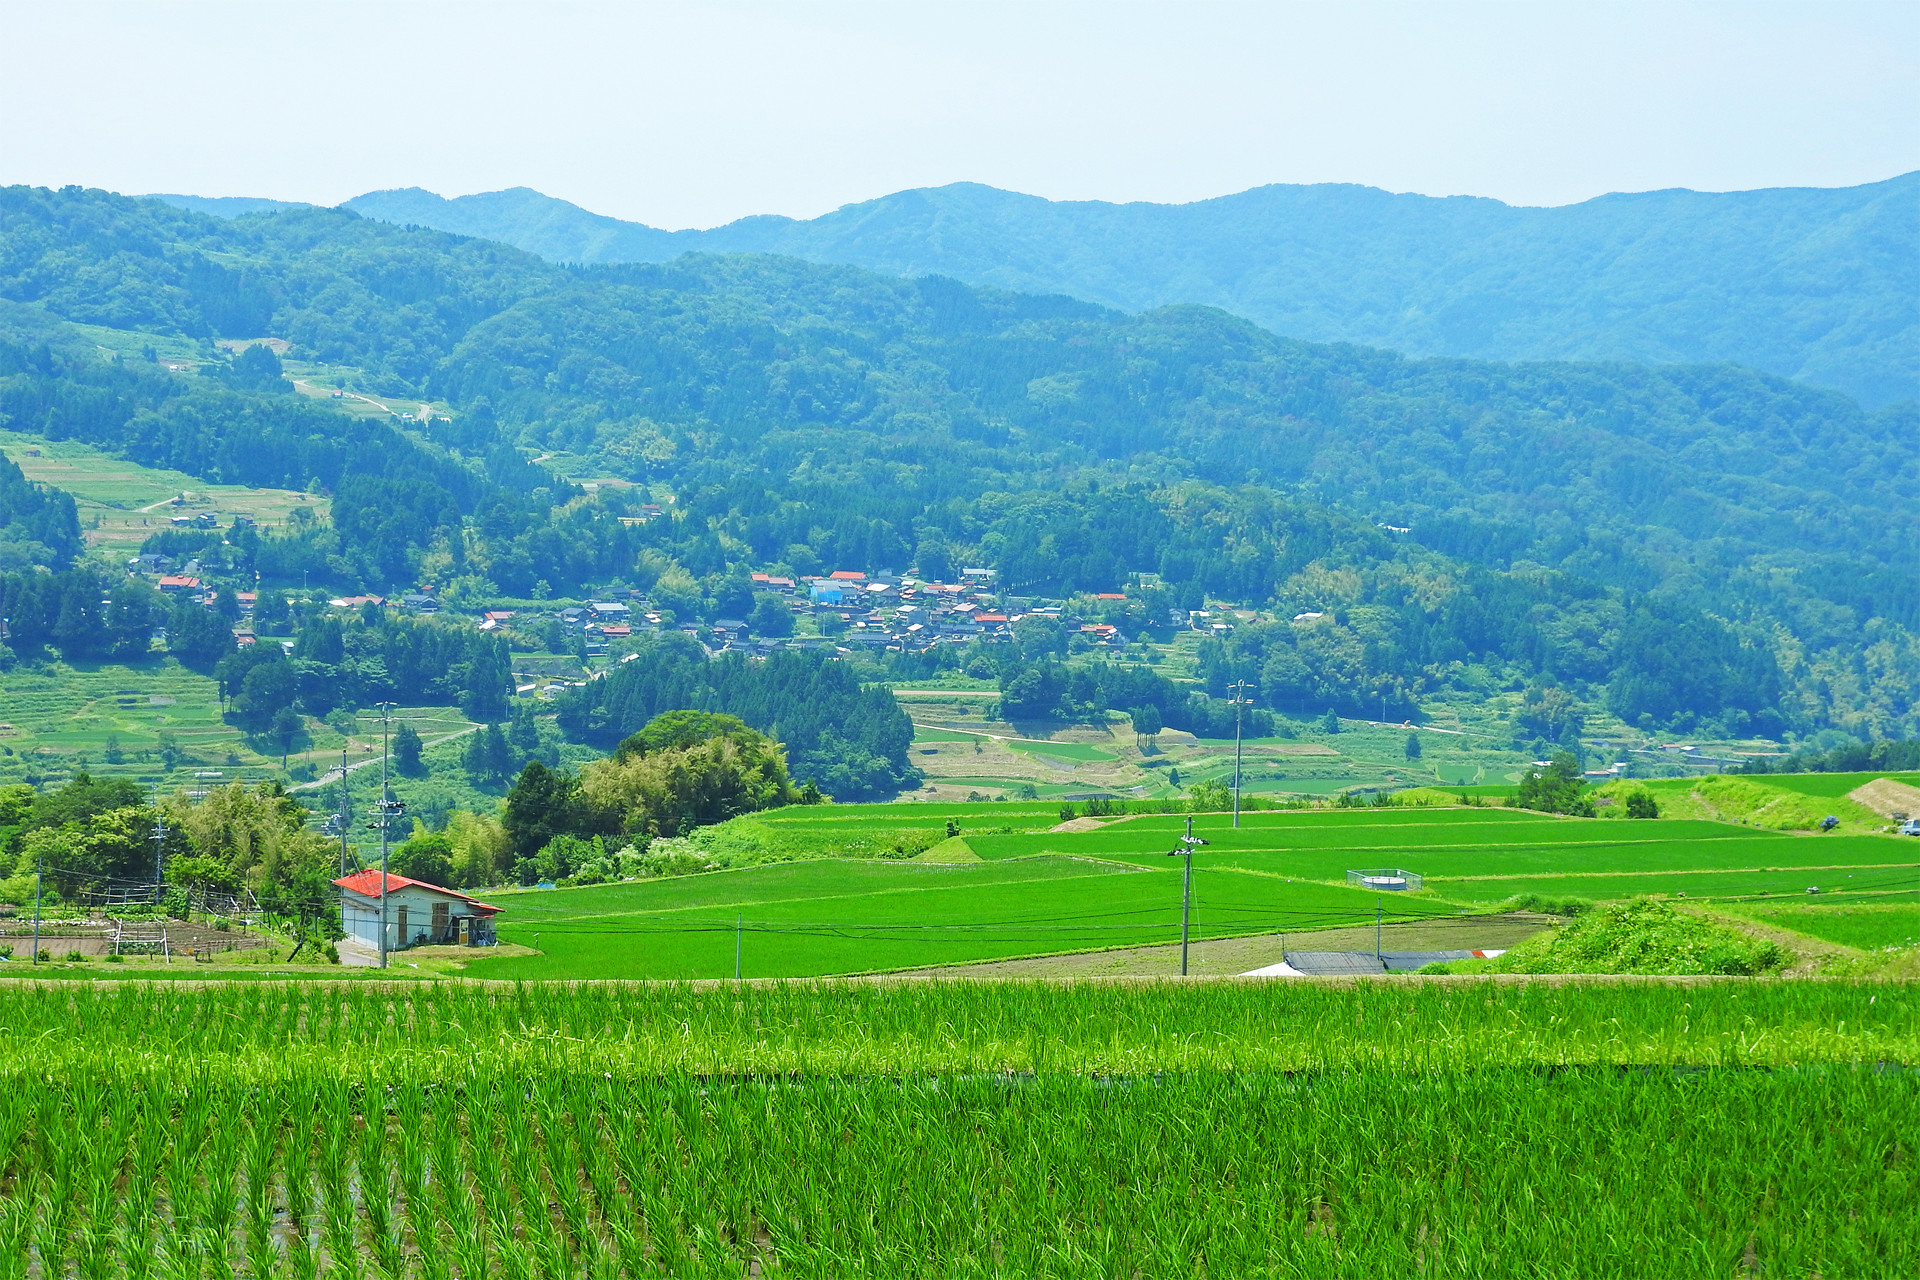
point(840, 1129)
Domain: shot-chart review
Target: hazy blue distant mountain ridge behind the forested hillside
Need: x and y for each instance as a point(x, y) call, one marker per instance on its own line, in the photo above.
point(1821, 285)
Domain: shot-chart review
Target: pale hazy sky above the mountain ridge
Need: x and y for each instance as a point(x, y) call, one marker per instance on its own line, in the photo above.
point(694, 114)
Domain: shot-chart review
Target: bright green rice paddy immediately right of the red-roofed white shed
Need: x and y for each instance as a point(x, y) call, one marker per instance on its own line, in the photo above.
point(815, 918)
